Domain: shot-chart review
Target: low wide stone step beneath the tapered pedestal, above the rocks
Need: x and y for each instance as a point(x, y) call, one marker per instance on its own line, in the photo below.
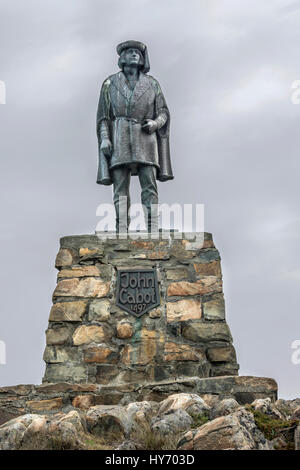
point(56, 397)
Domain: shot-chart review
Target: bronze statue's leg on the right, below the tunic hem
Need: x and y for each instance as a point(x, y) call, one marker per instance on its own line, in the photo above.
point(149, 196)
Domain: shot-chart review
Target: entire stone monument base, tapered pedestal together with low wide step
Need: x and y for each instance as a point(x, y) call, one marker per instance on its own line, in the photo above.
point(101, 352)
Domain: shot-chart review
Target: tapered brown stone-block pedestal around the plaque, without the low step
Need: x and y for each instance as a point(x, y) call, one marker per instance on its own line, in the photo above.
point(92, 340)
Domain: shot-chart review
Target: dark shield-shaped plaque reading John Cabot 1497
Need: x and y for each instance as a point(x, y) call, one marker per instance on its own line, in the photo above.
point(137, 290)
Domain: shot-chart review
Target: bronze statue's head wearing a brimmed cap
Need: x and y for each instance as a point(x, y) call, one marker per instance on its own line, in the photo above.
point(133, 53)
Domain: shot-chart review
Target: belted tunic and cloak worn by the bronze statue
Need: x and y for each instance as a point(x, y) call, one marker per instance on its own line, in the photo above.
point(122, 112)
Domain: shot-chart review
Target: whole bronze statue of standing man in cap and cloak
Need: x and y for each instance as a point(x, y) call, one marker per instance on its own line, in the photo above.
point(133, 123)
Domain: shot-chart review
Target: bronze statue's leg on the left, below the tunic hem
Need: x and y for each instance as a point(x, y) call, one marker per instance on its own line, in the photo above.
point(121, 183)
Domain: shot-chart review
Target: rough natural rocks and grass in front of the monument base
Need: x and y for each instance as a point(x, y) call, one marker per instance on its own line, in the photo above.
point(182, 421)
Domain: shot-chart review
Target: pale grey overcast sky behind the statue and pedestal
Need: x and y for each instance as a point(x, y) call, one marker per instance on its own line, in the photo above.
point(226, 68)
